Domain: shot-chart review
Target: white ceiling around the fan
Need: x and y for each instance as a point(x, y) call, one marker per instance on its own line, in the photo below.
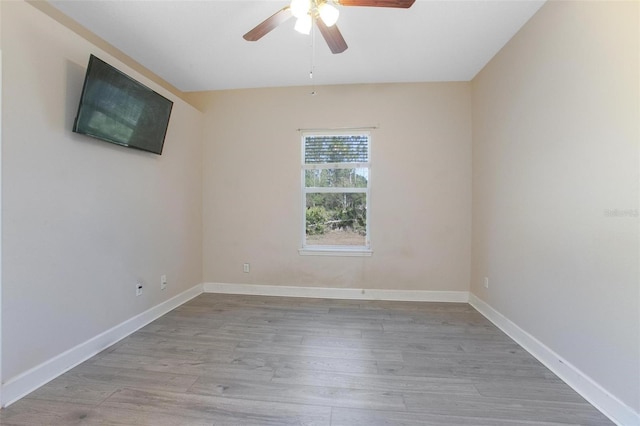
point(198, 45)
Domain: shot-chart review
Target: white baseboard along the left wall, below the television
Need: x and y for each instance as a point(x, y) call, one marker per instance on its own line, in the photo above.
point(25, 383)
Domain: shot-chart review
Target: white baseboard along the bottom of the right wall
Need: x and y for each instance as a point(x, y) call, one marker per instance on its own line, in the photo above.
point(608, 404)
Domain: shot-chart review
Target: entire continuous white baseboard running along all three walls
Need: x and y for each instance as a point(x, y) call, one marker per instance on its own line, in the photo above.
point(616, 410)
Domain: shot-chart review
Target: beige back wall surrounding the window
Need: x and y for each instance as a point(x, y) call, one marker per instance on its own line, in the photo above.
point(420, 196)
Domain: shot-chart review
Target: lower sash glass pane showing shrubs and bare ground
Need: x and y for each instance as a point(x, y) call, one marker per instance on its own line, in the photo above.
point(336, 219)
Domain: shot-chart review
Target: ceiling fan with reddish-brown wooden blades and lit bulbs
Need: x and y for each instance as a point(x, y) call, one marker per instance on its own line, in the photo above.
point(323, 13)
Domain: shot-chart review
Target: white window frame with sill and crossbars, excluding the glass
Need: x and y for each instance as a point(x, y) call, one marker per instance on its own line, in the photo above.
point(334, 250)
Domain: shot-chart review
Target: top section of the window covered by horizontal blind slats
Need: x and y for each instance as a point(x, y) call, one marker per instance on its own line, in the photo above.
point(336, 149)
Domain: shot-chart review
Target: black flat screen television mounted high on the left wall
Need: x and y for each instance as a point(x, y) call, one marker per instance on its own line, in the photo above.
point(116, 108)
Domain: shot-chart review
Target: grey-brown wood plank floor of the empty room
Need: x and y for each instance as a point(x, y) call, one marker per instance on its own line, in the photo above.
point(252, 360)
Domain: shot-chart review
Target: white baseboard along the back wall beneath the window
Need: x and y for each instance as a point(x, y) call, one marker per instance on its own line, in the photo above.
point(338, 293)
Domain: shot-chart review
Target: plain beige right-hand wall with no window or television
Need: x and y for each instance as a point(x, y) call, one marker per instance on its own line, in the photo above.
point(555, 153)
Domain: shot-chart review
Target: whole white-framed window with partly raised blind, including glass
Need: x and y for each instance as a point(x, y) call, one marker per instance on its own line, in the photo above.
point(335, 193)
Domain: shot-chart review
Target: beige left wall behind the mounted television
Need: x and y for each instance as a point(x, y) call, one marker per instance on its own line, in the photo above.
point(83, 219)
